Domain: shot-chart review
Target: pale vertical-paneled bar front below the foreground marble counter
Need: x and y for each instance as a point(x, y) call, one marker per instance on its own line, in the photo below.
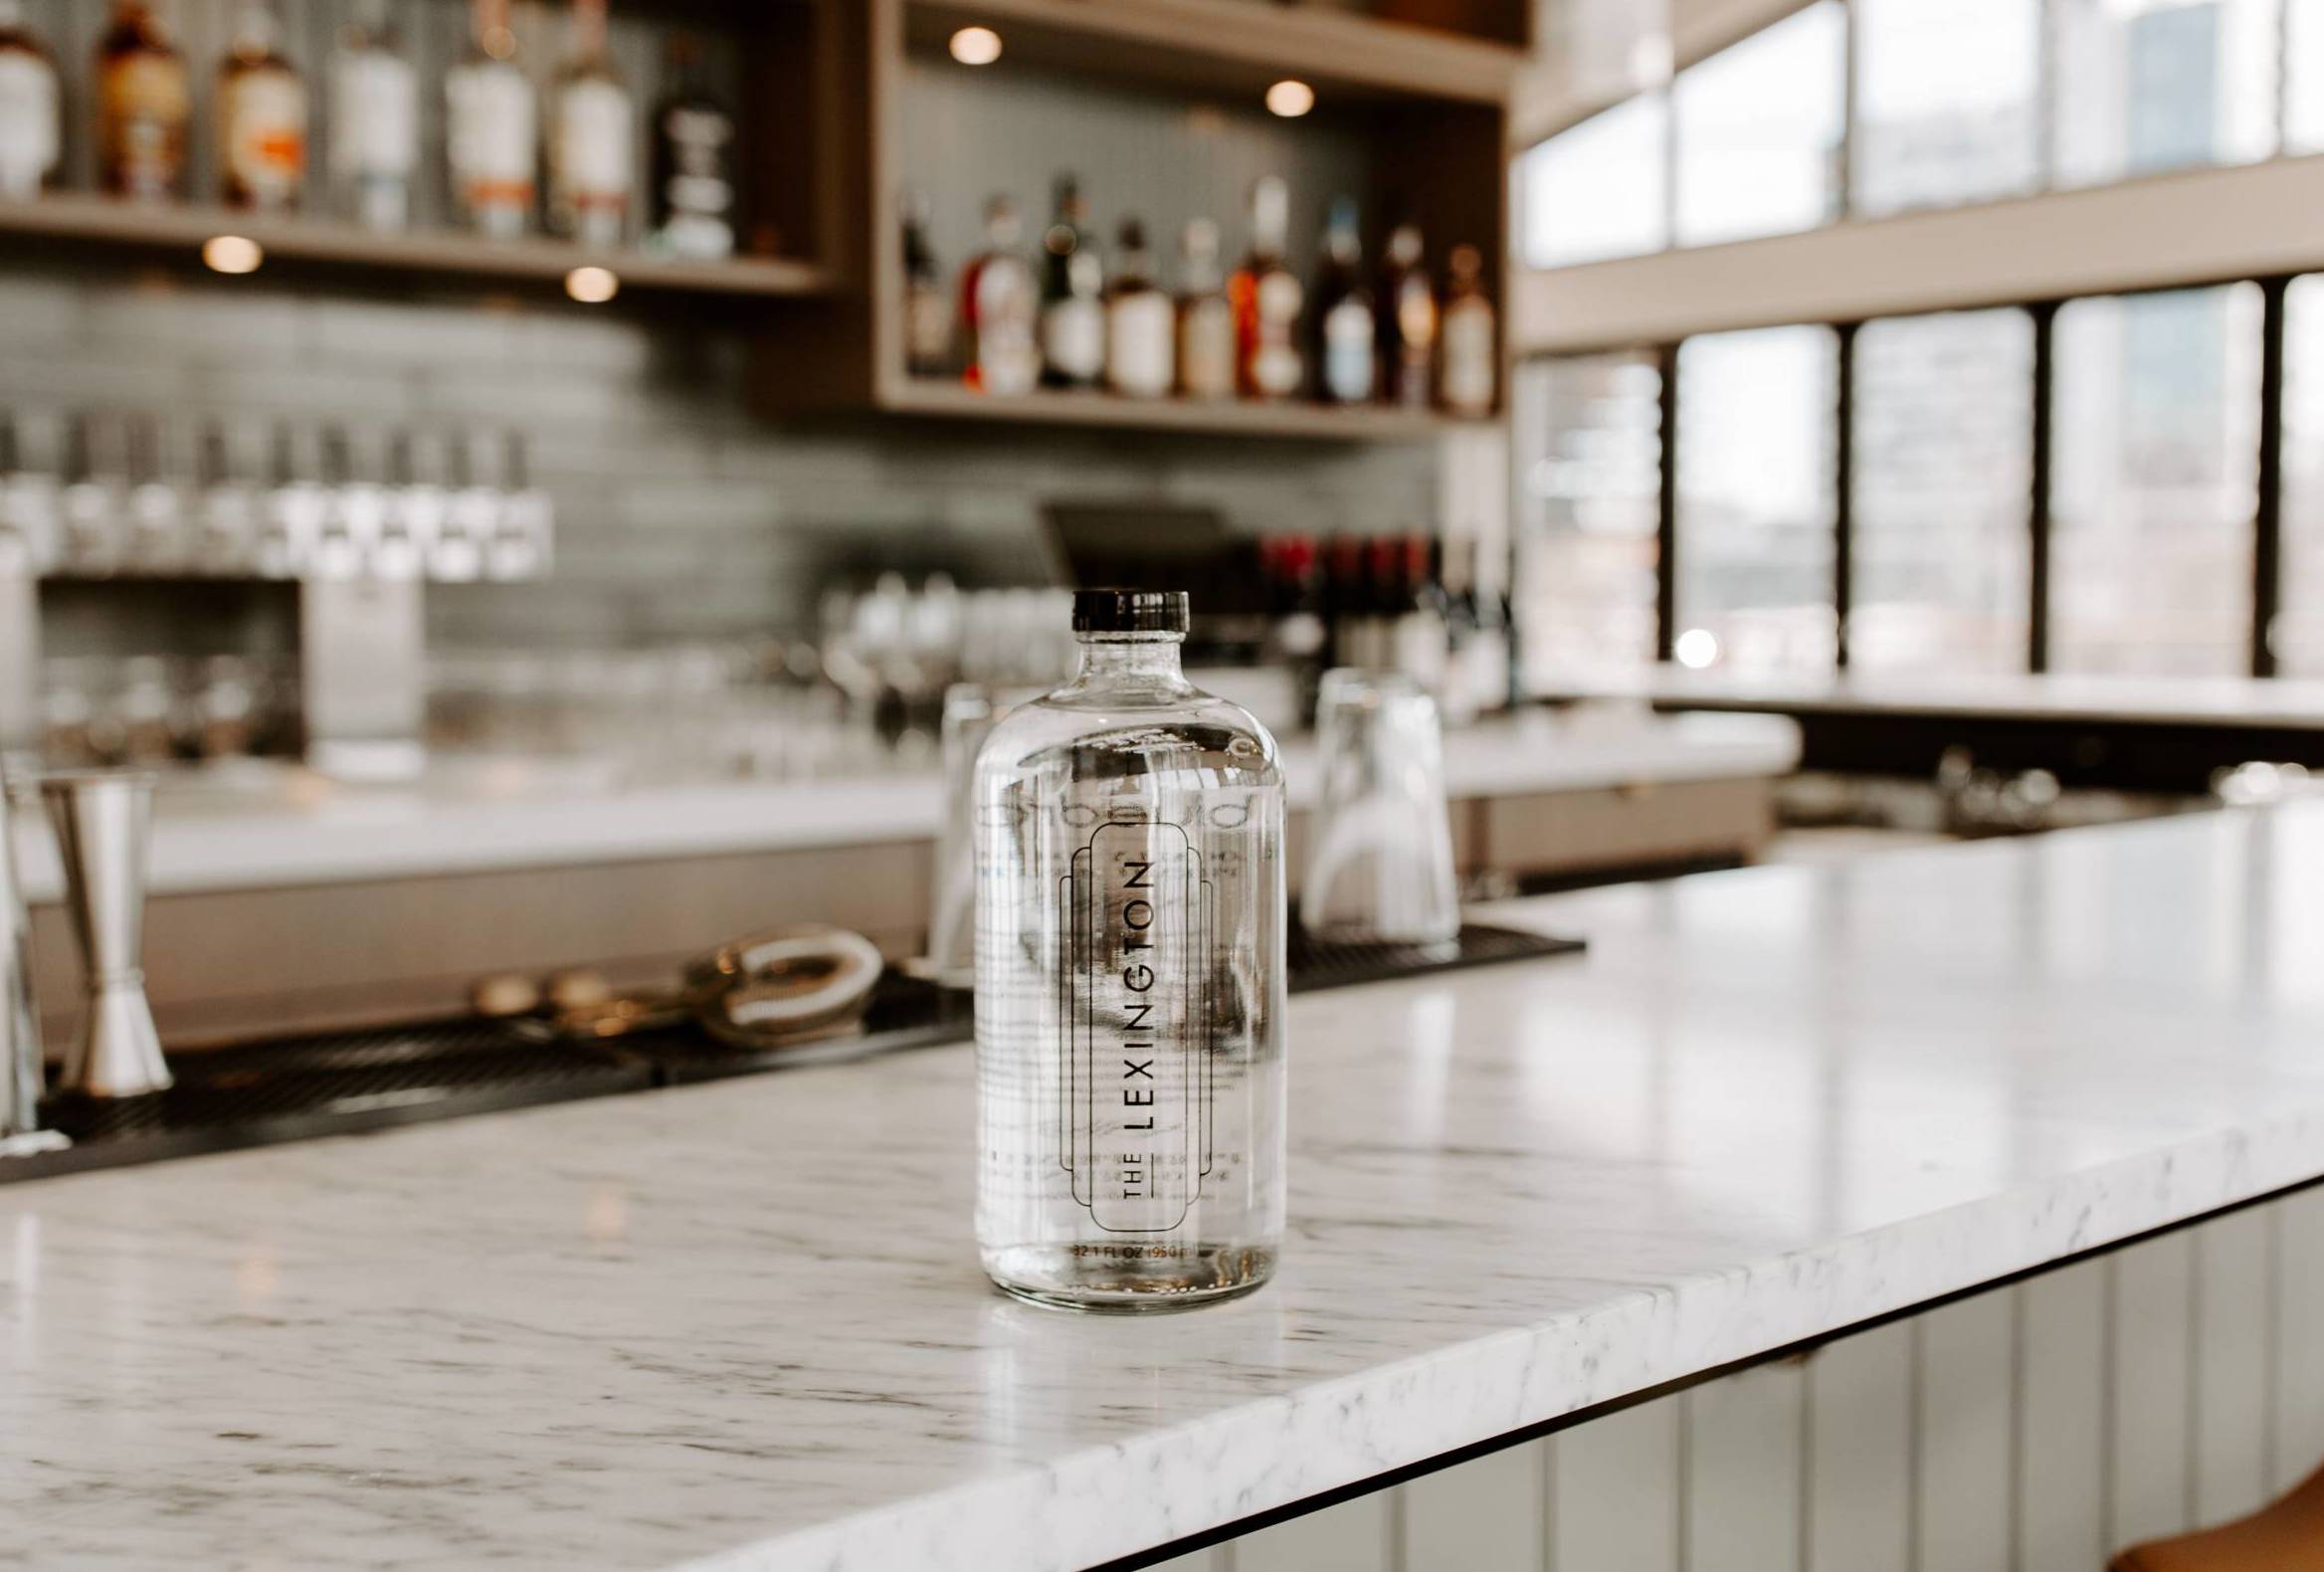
point(2046, 1424)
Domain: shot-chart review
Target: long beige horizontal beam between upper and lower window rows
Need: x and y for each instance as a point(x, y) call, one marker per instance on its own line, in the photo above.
point(2160, 231)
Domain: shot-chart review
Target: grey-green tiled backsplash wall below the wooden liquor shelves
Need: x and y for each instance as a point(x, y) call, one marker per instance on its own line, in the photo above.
point(680, 510)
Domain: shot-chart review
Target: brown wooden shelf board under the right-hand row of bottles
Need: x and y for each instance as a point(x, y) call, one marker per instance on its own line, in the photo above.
point(1228, 417)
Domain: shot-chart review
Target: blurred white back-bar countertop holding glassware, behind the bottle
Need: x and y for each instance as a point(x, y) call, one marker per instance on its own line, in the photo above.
point(301, 829)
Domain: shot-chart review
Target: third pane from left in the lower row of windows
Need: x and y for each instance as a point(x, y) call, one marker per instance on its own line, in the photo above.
point(1944, 466)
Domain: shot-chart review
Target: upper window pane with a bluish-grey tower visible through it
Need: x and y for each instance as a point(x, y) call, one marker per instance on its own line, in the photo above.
point(2162, 85)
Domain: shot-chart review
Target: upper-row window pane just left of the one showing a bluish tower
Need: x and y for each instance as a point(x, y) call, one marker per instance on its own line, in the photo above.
point(1946, 101)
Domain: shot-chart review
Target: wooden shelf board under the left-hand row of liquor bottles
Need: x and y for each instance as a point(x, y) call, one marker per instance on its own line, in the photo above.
point(178, 234)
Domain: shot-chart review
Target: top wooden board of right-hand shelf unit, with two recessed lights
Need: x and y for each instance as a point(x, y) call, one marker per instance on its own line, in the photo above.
point(1233, 45)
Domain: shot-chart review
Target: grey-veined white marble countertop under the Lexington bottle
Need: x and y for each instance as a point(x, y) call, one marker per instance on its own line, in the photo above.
point(743, 1327)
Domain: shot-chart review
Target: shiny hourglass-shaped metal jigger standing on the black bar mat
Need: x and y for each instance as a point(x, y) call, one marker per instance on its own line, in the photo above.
point(103, 822)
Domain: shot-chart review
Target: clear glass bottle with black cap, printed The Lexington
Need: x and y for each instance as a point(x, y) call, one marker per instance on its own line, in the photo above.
point(1128, 980)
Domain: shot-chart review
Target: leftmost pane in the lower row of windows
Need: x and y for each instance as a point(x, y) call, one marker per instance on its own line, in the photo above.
point(1591, 480)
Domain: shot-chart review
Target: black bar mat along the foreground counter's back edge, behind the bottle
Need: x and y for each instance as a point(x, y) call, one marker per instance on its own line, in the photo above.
point(292, 1089)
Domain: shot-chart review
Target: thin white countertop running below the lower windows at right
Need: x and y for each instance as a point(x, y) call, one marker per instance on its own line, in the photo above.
point(2053, 696)
